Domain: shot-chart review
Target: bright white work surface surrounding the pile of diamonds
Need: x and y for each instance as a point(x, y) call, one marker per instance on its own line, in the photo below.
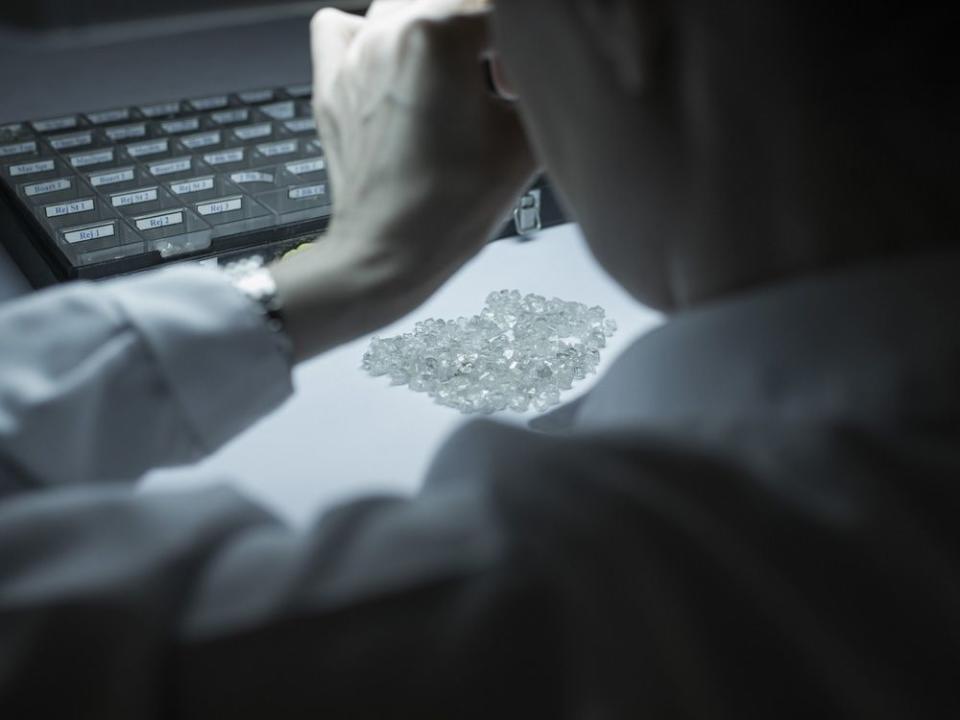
point(345, 433)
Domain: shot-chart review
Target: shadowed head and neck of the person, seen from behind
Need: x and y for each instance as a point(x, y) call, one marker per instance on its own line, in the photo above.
point(709, 145)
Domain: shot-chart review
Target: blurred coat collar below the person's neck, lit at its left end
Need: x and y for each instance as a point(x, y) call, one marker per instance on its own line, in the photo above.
point(878, 343)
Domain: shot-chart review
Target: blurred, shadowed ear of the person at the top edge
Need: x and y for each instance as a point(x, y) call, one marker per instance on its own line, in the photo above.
point(630, 35)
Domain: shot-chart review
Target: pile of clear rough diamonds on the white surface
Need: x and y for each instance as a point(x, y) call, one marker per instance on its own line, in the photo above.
point(517, 353)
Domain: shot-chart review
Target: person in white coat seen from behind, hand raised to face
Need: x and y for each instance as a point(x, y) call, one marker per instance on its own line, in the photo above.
point(753, 514)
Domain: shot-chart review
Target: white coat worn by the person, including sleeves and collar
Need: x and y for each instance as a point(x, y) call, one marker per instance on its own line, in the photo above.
point(754, 514)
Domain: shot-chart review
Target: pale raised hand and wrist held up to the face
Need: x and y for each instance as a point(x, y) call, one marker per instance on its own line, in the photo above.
point(424, 161)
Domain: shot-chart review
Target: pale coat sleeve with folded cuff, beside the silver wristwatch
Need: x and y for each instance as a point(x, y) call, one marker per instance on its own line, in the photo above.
point(106, 381)
